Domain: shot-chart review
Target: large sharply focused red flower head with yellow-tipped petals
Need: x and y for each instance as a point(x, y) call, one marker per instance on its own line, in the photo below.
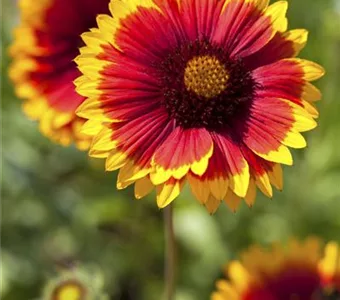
point(201, 91)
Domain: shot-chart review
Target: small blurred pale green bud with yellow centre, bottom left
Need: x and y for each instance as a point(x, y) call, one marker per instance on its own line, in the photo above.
point(76, 284)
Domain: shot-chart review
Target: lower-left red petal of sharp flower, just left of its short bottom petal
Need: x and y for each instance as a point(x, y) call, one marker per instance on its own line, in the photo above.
point(133, 145)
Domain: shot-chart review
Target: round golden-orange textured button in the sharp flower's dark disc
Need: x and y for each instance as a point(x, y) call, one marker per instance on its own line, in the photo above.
point(206, 76)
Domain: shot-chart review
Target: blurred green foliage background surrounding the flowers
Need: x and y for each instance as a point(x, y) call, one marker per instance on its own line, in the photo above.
point(58, 207)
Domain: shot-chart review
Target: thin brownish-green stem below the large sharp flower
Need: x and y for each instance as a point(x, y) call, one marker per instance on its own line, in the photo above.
point(170, 253)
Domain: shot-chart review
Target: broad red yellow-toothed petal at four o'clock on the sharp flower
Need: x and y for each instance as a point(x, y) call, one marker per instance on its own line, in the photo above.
point(273, 124)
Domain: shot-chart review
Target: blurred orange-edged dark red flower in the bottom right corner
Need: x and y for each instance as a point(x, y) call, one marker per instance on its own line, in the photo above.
point(299, 271)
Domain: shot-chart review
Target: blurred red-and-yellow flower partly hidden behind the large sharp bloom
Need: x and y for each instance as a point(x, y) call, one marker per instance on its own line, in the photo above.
point(45, 44)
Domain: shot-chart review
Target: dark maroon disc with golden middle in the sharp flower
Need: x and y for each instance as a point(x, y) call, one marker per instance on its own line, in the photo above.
point(203, 87)
